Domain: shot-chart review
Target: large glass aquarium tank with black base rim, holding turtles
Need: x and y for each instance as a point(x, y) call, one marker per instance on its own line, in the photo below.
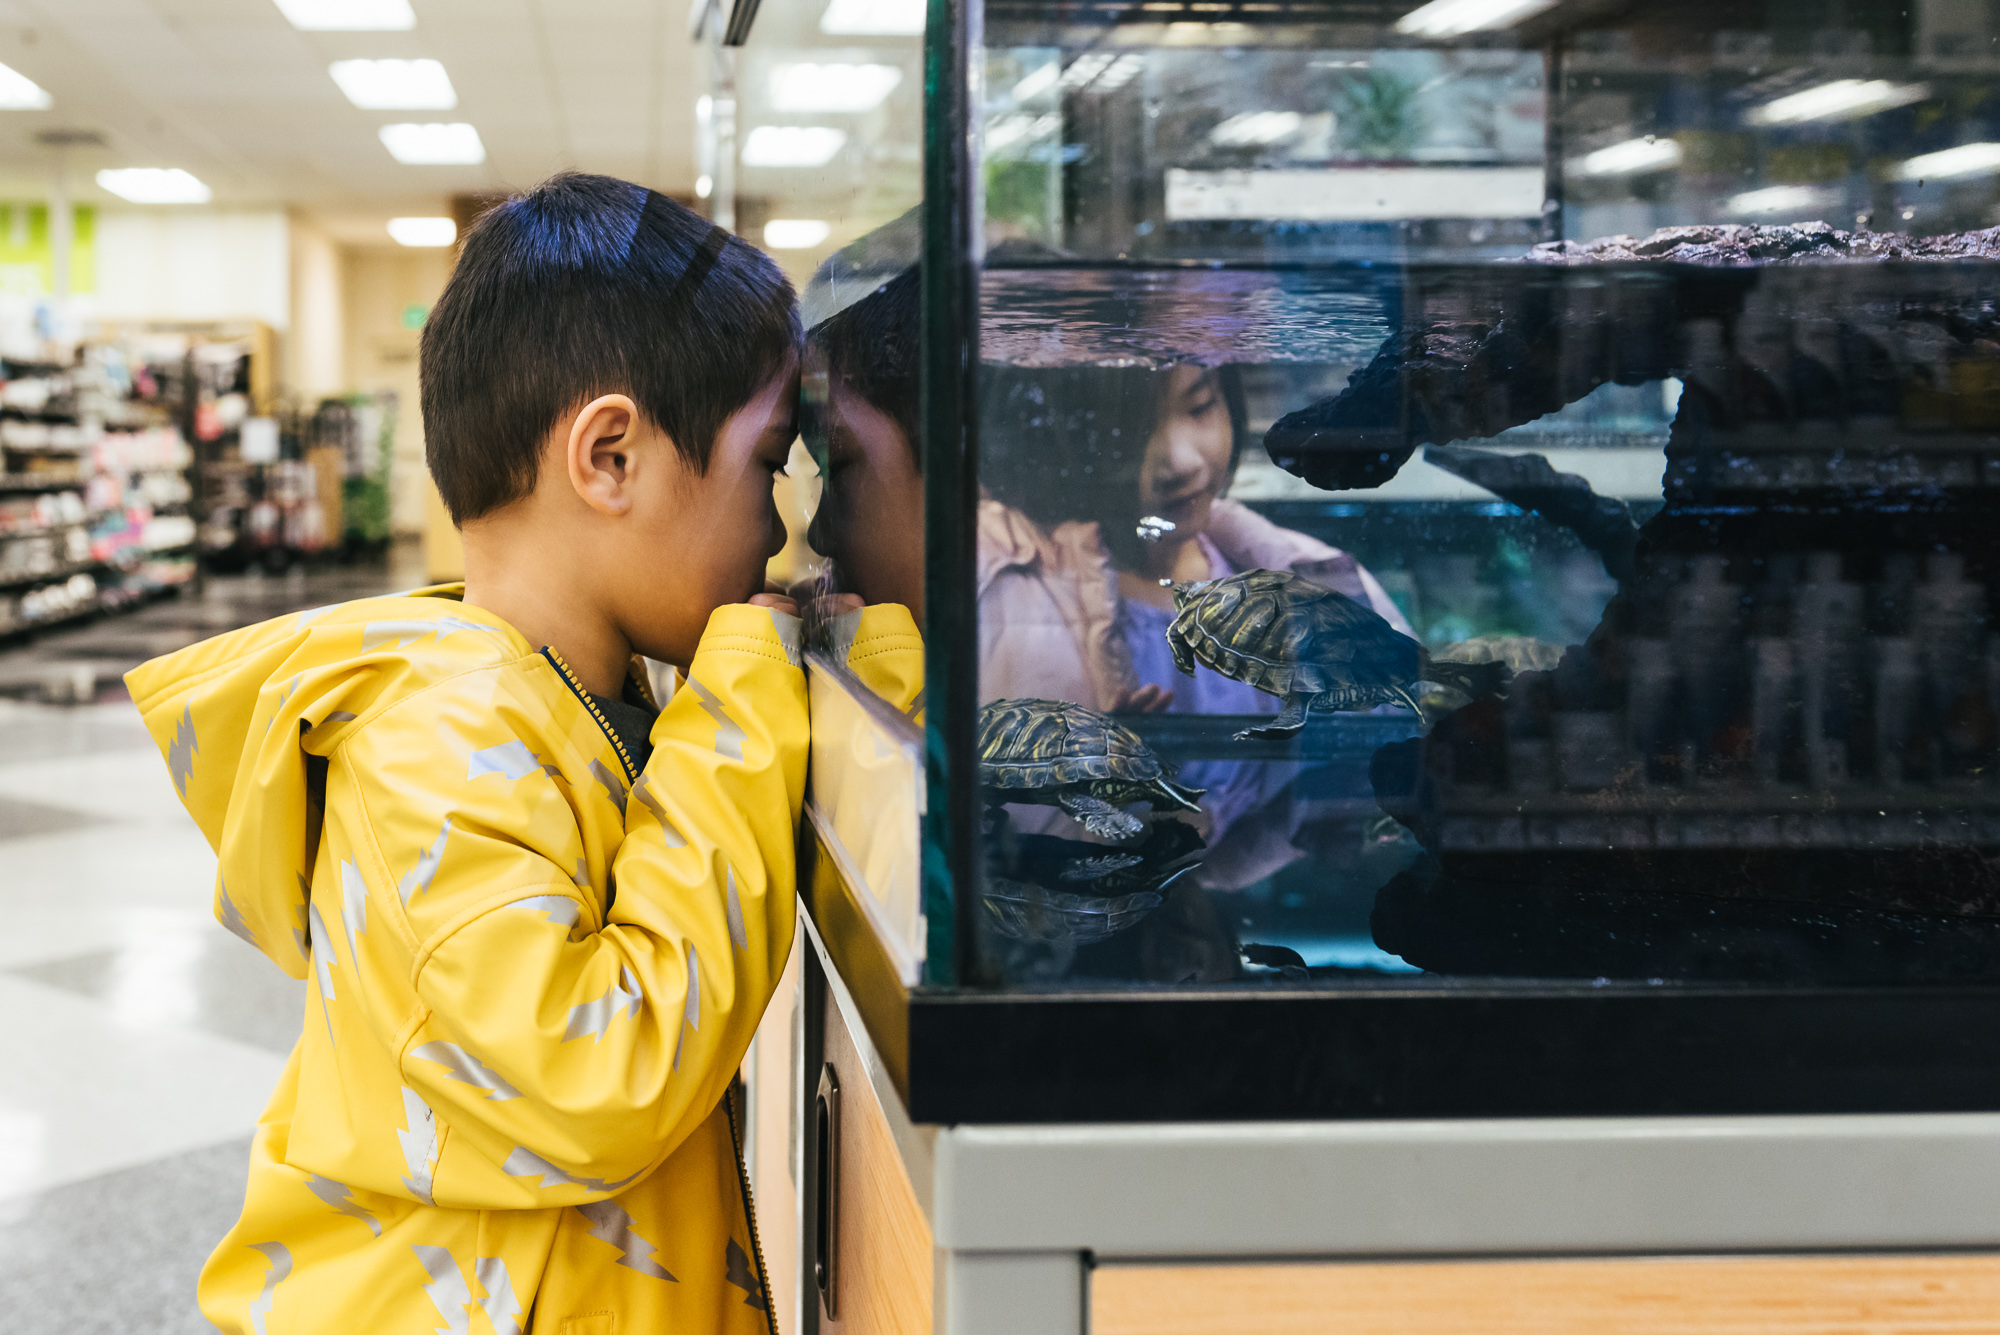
point(1457, 529)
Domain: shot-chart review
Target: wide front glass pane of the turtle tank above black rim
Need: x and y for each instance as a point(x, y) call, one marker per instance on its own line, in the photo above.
point(1597, 591)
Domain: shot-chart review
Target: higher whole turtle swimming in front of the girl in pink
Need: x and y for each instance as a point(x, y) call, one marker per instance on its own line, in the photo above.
point(1309, 645)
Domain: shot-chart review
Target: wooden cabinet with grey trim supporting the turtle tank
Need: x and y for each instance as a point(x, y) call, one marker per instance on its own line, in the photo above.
point(1815, 1226)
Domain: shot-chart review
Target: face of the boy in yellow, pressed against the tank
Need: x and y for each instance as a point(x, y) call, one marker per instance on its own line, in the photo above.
point(699, 541)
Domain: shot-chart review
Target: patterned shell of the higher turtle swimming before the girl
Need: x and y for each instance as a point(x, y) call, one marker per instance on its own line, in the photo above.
point(1285, 635)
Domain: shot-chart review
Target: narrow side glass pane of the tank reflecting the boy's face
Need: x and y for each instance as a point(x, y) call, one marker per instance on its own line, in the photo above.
point(815, 133)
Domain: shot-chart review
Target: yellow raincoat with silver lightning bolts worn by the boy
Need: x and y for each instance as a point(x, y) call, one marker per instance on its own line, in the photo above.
point(535, 970)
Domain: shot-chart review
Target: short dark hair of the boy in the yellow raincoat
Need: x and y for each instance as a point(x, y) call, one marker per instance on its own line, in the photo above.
point(585, 287)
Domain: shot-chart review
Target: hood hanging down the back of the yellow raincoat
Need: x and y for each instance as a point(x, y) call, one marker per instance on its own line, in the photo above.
point(247, 722)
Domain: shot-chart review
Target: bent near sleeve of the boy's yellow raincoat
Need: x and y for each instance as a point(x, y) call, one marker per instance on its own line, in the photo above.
point(579, 1054)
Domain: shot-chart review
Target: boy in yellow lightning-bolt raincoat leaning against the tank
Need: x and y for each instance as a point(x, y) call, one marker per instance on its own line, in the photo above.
point(541, 924)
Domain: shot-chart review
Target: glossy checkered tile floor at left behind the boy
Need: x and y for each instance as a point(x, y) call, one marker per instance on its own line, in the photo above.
point(137, 1036)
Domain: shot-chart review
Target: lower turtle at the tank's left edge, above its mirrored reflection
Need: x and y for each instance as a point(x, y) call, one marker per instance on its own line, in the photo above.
point(1063, 754)
